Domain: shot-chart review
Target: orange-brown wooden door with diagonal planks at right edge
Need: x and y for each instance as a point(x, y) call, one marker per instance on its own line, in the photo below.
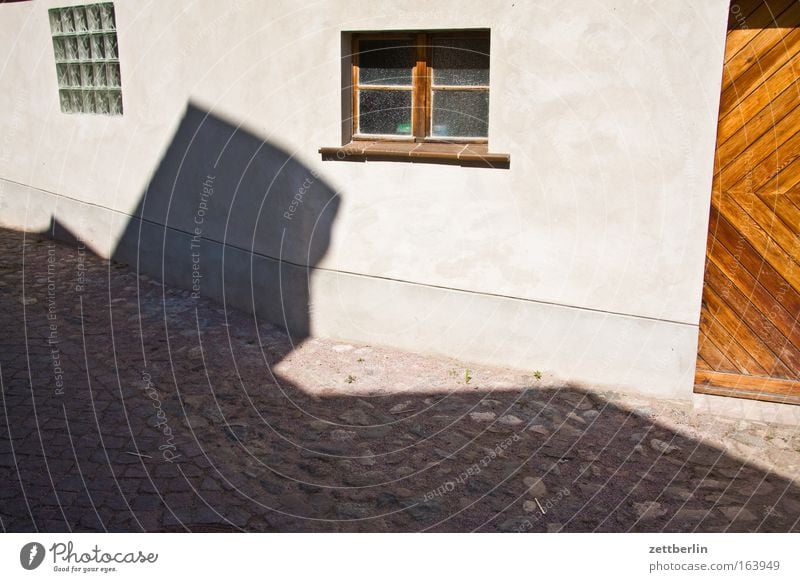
point(749, 344)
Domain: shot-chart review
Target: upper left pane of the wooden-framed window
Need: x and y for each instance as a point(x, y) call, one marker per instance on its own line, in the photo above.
point(385, 62)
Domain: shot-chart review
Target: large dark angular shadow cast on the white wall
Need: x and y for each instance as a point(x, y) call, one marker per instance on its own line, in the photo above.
point(232, 217)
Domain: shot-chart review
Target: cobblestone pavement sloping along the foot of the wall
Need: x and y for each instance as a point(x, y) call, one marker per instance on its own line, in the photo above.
point(129, 406)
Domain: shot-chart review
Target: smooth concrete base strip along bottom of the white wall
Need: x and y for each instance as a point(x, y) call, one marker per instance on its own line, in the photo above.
point(582, 347)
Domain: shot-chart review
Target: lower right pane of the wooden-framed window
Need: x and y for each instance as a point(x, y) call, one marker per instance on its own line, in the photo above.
point(460, 113)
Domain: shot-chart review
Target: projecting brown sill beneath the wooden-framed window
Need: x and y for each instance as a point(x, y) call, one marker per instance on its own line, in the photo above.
point(474, 154)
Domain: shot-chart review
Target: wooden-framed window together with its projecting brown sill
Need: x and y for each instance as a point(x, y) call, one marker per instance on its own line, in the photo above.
point(419, 95)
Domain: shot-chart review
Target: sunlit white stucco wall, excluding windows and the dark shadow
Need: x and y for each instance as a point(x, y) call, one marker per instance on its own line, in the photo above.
point(584, 259)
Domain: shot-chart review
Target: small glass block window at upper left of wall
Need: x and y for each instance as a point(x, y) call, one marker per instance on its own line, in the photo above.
point(87, 58)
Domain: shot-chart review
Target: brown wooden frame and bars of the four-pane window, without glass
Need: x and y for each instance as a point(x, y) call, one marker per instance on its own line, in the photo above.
point(422, 87)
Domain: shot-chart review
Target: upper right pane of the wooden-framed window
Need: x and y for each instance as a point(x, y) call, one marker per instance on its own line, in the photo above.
point(460, 61)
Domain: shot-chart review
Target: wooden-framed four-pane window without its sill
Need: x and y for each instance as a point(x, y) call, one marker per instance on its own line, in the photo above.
point(421, 86)
